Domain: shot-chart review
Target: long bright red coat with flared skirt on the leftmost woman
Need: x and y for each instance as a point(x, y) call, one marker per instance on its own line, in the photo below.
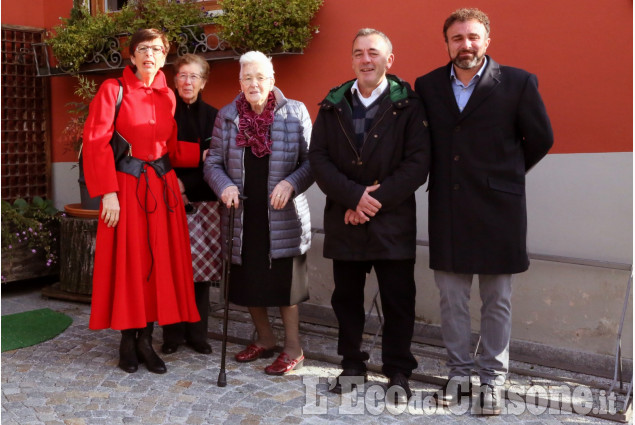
point(155, 243)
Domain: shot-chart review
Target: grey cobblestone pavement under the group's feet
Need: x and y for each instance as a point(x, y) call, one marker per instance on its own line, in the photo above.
point(73, 379)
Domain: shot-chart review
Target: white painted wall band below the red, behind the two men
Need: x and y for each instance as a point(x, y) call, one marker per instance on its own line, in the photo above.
point(579, 205)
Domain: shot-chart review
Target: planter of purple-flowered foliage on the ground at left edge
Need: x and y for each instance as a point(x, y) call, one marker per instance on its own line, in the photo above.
point(30, 239)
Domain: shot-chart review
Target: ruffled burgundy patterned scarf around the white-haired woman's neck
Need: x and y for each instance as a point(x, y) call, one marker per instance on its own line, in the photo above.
point(253, 128)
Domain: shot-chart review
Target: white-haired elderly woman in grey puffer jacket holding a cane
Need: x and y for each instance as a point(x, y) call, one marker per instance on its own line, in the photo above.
point(258, 162)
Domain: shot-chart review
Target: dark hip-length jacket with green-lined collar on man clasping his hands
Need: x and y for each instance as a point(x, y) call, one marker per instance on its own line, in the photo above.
point(395, 154)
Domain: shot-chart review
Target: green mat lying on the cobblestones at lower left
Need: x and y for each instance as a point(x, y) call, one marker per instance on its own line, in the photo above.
point(31, 327)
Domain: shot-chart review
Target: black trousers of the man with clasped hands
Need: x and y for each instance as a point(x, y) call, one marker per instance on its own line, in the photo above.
point(397, 291)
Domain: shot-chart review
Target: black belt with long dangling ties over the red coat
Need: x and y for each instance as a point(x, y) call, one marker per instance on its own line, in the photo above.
point(135, 167)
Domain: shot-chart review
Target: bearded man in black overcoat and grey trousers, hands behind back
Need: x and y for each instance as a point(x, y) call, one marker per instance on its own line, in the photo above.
point(489, 126)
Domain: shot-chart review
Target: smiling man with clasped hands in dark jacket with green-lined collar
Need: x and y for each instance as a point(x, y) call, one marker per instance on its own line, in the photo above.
point(369, 152)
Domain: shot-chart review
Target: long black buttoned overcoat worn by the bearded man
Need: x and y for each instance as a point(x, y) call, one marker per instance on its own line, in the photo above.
point(477, 205)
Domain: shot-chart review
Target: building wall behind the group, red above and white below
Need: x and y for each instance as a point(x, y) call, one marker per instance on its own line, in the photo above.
point(579, 197)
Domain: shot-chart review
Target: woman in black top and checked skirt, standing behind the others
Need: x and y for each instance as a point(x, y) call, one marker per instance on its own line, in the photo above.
point(195, 121)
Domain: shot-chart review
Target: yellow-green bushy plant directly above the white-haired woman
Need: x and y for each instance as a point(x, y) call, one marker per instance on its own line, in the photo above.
point(270, 26)
